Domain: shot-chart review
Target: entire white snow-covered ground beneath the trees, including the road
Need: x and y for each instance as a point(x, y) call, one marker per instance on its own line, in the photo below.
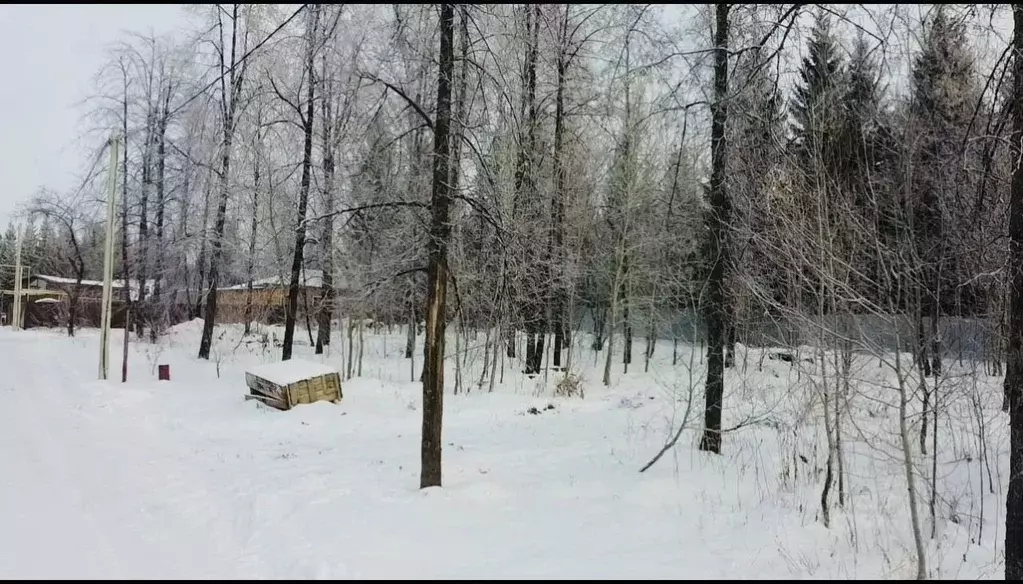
point(187, 479)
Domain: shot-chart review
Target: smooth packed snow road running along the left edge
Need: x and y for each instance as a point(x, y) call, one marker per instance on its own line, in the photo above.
point(73, 480)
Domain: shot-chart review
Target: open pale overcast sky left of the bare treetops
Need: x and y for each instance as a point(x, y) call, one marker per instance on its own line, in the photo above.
point(50, 56)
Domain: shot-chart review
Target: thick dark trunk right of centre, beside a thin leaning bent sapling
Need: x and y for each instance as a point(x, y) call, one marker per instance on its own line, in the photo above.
point(718, 246)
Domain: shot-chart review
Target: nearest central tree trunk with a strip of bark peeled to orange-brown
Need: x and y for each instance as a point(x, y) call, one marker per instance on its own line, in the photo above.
point(437, 275)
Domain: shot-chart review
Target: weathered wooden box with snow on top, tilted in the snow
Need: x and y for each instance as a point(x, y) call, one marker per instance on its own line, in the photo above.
point(289, 384)
